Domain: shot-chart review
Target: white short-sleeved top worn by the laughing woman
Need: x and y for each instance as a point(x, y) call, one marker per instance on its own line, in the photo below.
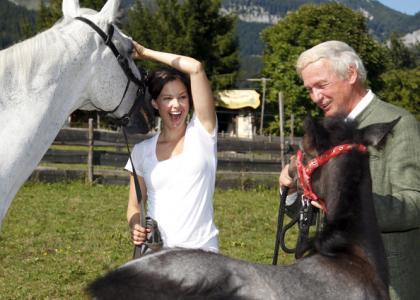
point(180, 189)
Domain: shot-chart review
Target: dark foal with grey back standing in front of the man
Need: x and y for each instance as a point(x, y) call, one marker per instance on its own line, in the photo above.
point(347, 260)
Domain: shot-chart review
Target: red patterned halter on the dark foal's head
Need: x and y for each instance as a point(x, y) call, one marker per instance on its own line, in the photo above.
point(305, 172)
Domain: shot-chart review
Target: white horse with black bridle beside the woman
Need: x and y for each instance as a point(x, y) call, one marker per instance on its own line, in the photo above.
point(45, 78)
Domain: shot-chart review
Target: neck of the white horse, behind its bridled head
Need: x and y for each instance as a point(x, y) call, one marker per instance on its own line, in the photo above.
point(36, 107)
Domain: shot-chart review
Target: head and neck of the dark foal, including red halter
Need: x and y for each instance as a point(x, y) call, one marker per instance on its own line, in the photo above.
point(342, 184)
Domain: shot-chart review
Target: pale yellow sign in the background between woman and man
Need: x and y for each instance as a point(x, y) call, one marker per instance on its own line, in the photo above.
point(235, 99)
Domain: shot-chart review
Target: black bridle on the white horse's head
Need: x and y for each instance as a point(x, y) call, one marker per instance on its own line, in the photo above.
point(122, 61)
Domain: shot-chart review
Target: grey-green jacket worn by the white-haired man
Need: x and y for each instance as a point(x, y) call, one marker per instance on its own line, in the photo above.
point(395, 171)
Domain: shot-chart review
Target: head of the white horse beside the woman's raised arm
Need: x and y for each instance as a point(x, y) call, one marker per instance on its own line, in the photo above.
point(111, 87)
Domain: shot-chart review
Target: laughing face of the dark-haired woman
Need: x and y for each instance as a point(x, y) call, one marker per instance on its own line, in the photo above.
point(173, 104)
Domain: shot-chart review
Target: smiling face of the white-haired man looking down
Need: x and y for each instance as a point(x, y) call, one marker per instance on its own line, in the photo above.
point(327, 90)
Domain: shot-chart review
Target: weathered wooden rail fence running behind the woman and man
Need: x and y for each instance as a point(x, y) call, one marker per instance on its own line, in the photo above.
point(240, 161)
